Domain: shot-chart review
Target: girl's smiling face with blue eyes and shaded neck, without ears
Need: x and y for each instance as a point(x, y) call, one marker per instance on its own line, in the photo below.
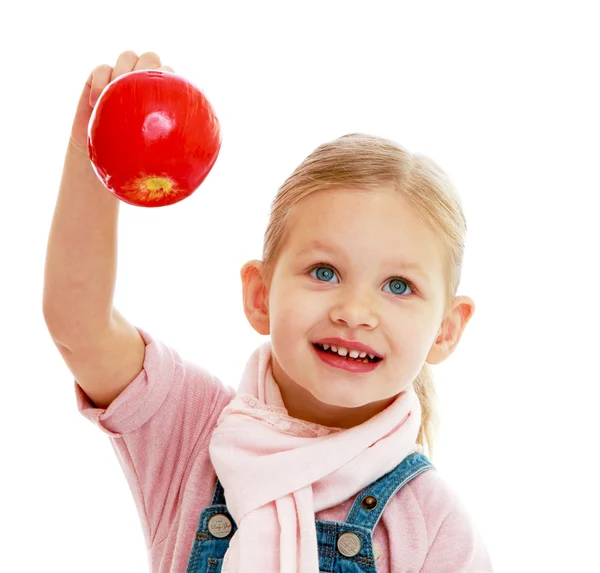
point(358, 270)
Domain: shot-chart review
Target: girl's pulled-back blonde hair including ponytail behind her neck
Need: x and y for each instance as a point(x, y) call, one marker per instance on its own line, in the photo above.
point(367, 162)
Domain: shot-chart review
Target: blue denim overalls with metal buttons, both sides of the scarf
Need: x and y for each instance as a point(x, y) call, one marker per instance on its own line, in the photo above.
point(343, 547)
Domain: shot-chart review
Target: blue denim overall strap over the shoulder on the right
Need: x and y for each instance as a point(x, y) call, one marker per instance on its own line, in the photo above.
point(371, 501)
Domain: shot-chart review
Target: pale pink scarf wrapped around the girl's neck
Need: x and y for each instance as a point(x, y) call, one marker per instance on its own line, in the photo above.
point(278, 471)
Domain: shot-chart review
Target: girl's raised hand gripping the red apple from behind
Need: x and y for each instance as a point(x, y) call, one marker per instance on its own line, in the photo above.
point(100, 77)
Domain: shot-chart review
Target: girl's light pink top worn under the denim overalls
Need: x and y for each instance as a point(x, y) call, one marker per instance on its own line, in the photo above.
point(160, 427)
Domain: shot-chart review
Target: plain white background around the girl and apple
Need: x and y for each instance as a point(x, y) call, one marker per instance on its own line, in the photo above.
point(504, 96)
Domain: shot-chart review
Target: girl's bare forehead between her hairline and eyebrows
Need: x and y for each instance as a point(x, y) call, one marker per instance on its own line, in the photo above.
point(375, 223)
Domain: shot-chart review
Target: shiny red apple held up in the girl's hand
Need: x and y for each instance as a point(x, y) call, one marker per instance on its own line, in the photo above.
point(153, 137)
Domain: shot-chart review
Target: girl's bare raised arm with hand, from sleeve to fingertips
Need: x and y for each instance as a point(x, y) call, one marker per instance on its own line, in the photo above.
point(101, 348)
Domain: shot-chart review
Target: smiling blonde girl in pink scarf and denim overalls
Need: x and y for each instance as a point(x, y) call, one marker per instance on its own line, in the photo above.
point(317, 463)
